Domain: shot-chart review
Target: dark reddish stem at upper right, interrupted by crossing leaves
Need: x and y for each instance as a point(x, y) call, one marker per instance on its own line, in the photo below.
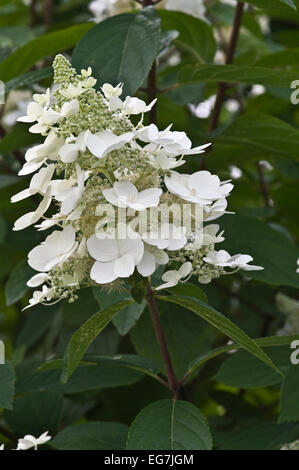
point(229, 59)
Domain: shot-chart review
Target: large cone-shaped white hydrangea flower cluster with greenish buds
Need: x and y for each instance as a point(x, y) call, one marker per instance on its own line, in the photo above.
point(93, 156)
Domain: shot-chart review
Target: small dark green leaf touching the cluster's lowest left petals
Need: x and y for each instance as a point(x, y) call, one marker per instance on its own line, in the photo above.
point(16, 286)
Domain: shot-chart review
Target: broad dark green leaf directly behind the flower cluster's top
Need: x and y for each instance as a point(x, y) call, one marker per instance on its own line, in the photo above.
point(118, 37)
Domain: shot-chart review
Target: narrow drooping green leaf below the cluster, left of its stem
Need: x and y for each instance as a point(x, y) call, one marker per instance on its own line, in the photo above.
point(84, 336)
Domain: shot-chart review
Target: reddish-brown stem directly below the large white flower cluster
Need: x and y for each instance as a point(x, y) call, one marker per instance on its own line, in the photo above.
point(153, 310)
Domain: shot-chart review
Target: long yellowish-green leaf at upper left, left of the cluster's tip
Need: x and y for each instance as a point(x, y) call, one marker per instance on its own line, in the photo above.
point(43, 46)
